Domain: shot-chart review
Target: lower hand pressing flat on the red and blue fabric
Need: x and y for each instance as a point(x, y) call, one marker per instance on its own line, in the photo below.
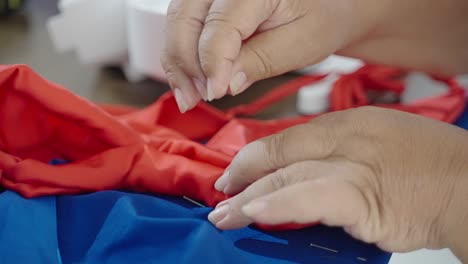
point(388, 177)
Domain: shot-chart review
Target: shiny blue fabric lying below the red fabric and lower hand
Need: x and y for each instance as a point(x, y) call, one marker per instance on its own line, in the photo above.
point(120, 227)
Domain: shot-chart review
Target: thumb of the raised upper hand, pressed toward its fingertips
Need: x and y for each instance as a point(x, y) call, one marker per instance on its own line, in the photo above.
point(277, 51)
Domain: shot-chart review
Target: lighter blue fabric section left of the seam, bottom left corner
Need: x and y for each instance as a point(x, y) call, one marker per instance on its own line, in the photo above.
point(28, 231)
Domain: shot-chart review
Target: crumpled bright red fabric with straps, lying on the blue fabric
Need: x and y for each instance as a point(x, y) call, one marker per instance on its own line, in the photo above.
point(155, 149)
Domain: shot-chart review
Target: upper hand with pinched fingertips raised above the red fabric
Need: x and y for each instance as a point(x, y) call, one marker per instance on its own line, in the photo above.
point(219, 47)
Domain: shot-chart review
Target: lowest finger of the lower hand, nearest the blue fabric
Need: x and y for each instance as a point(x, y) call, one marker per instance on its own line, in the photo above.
point(328, 200)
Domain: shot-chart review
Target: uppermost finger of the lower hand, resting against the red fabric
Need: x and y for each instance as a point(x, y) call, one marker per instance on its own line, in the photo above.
point(312, 141)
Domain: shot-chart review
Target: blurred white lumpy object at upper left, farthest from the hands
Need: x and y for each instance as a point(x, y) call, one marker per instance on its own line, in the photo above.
point(96, 30)
